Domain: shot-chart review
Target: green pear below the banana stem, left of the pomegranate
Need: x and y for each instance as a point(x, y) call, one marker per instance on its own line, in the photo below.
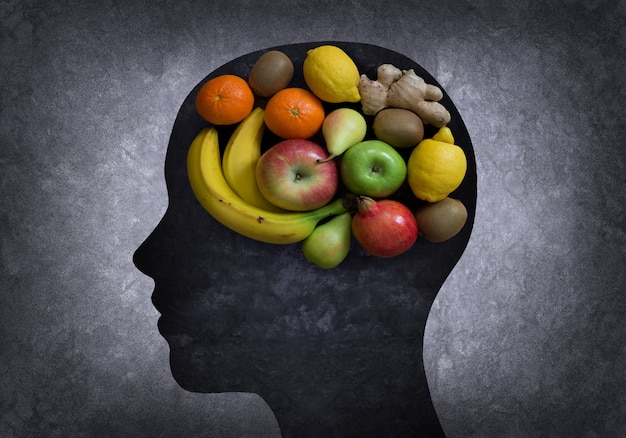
point(329, 243)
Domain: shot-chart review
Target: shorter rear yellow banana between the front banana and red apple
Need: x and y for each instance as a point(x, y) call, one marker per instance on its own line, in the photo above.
point(240, 156)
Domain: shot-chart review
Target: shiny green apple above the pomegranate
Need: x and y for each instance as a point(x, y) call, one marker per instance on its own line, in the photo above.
point(372, 168)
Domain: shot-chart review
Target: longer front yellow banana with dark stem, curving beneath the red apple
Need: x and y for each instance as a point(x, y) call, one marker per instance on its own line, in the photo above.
point(218, 198)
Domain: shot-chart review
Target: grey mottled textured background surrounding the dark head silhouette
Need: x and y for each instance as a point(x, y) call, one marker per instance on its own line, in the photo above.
point(525, 338)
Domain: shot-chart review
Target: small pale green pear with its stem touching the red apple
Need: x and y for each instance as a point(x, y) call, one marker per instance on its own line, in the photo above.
point(341, 129)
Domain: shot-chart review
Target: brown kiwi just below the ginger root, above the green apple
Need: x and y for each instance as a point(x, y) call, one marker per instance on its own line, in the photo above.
point(401, 128)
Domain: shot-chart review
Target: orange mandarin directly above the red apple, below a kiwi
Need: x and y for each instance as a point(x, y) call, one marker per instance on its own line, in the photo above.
point(294, 113)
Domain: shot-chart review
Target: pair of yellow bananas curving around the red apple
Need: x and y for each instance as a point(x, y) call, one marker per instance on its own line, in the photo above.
point(226, 187)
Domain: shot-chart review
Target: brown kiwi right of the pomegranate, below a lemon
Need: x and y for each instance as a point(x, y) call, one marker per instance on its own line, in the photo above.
point(441, 220)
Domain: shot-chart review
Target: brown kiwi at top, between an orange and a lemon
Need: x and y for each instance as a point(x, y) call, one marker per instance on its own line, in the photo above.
point(271, 73)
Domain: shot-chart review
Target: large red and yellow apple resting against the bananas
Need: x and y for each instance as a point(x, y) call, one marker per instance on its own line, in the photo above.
point(291, 176)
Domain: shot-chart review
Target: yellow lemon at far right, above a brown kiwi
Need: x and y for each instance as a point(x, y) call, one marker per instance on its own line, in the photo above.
point(435, 169)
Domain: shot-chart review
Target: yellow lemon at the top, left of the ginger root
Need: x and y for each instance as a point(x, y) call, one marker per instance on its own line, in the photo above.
point(331, 74)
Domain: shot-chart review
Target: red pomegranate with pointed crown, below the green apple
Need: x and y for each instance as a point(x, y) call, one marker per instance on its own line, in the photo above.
point(384, 228)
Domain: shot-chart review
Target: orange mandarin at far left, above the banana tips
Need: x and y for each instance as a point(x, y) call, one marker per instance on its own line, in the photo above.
point(225, 100)
